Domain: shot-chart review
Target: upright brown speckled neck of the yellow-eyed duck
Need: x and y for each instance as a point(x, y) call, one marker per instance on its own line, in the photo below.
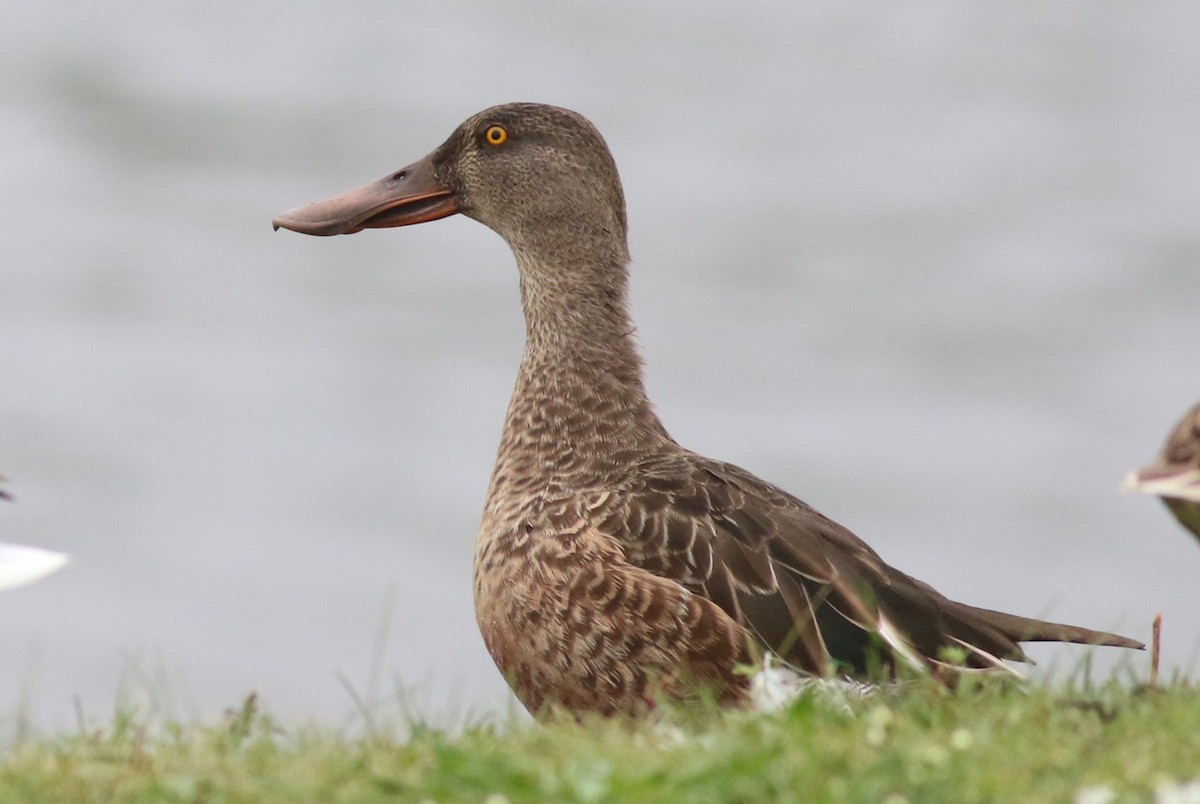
point(579, 413)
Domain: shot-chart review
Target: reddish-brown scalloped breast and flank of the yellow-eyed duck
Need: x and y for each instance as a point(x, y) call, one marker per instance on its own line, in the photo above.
point(578, 627)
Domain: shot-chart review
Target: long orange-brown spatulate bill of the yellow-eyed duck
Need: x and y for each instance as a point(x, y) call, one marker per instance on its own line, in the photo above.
point(413, 195)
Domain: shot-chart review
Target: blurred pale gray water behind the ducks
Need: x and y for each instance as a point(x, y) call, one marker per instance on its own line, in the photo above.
point(935, 269)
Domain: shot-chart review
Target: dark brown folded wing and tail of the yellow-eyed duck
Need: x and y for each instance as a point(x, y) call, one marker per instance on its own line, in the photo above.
point(808, 589)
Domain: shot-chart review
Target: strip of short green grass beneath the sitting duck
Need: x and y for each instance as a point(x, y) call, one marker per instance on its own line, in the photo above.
point(919, 742)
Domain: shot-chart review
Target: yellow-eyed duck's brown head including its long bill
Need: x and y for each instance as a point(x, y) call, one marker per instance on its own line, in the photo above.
point(519, 169)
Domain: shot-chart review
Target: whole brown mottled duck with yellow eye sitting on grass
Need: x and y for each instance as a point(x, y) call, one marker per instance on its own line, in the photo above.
point(616, 569)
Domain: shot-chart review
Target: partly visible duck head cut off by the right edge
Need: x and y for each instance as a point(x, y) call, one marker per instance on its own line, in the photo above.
point(1174, 475)
